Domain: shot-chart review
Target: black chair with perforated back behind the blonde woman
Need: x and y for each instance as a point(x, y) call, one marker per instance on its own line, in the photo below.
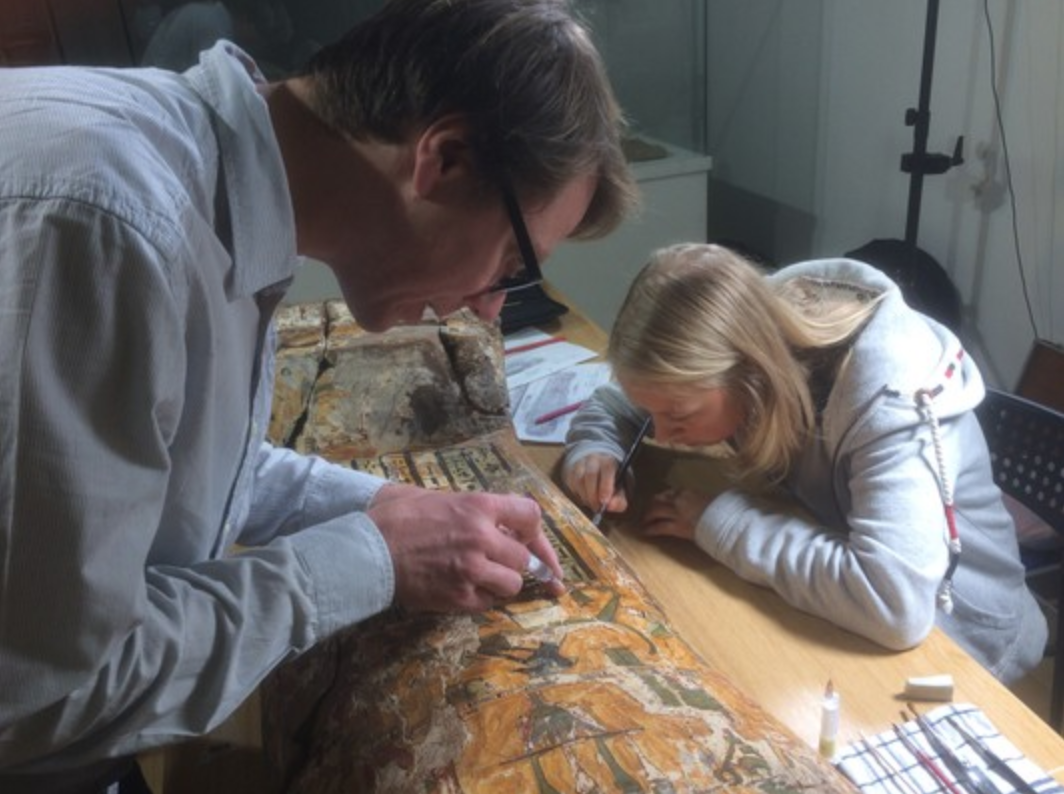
point(1026, 441)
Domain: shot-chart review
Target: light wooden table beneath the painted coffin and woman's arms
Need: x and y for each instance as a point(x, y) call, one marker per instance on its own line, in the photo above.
point(784, 657)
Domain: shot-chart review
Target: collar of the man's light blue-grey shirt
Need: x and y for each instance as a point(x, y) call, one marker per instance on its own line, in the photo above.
point(260, 206)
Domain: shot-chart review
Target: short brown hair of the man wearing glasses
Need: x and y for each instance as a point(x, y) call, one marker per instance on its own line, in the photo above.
point(525, 74)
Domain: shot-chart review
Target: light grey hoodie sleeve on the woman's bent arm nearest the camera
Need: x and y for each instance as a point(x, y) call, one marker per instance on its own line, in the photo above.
point(879, 575)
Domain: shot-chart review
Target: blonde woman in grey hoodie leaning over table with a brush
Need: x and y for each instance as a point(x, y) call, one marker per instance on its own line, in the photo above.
point(859, 410)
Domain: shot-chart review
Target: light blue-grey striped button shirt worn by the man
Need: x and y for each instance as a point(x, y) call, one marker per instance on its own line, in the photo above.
point(136, 378)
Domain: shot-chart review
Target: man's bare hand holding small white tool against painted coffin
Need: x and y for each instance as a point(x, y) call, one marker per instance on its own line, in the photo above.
point(460, 552)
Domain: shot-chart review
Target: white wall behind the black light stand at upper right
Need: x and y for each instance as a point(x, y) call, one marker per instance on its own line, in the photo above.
point(872, 65)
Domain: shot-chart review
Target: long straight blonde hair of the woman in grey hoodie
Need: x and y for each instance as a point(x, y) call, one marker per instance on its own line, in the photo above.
point(703, 316)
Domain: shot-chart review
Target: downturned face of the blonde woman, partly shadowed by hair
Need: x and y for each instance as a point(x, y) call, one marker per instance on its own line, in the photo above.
point(689, 416)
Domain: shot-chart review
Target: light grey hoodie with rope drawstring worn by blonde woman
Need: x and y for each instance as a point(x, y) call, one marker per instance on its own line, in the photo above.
point(866, 544)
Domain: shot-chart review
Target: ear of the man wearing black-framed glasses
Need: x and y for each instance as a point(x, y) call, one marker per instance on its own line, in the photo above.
point(444, 160)
